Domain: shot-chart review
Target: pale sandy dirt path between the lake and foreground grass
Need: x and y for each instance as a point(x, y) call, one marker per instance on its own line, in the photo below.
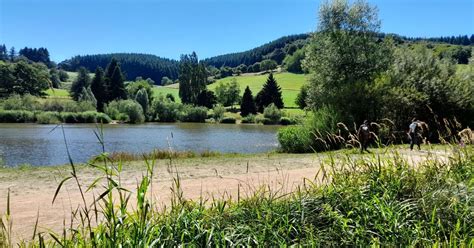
point(32, 189)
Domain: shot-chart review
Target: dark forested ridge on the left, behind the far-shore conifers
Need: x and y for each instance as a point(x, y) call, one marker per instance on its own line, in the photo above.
point(133, 65)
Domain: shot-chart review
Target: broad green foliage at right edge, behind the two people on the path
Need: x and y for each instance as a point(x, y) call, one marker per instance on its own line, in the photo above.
point(419, 84)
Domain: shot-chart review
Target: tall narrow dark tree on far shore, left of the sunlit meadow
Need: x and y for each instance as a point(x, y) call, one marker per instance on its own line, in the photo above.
point(192, 78)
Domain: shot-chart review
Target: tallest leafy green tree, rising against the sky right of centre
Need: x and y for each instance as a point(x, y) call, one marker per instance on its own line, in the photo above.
point(345, 57)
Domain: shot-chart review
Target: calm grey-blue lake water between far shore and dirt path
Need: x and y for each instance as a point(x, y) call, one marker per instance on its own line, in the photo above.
point(44, 144)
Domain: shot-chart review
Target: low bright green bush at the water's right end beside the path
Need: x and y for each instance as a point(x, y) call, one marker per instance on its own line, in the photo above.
point(295, 139)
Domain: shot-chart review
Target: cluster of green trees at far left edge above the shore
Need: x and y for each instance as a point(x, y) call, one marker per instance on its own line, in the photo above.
point(22, 78)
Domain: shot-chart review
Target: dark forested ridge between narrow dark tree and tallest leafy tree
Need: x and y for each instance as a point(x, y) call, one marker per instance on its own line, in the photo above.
point(274, 50)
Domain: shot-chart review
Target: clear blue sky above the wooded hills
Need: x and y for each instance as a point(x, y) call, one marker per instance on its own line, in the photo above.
point(169, 28)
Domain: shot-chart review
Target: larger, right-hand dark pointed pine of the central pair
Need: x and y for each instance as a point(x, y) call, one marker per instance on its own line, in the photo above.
point(270, 93)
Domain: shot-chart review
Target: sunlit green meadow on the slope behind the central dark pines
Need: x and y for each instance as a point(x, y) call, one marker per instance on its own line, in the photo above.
point(290, 84)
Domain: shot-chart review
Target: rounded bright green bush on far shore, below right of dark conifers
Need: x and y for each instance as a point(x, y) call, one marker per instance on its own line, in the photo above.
point(125, 110)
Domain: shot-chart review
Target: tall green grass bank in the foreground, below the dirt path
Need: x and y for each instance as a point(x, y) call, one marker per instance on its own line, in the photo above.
point(354, 200)
